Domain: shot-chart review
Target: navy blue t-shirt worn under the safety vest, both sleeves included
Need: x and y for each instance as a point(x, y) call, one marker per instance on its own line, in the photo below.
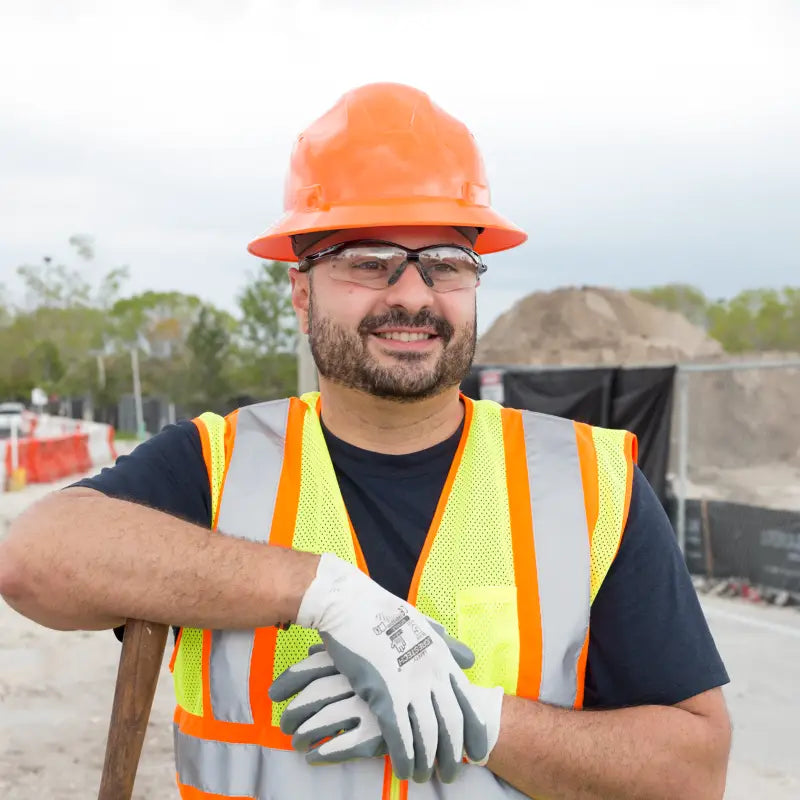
point(648, 639)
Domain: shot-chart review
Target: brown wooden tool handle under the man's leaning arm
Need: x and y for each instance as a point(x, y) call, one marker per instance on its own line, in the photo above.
point(139, 665)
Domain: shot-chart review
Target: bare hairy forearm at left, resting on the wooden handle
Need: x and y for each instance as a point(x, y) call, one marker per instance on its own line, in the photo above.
point(79, 559)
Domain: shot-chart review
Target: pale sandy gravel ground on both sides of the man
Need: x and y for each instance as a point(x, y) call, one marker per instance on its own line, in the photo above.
point(56, 691)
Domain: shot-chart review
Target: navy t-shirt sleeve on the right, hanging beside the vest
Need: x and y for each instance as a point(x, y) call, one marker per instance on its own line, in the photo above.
point(649, 643)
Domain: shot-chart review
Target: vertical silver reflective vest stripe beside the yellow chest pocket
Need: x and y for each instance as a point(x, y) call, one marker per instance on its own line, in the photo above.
point(561, 541)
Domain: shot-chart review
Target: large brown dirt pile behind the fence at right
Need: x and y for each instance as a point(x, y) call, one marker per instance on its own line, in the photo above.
point(737, 418)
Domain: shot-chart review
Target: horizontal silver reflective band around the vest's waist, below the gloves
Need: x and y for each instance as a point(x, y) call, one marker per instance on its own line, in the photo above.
point(252, 771)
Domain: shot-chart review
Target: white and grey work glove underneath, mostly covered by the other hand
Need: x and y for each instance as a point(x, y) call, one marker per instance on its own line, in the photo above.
point(328, 707)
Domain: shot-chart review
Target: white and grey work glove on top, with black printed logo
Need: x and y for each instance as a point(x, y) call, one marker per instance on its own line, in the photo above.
point(398, 663)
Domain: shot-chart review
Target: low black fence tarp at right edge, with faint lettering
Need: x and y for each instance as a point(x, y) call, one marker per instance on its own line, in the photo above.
point(730, 540)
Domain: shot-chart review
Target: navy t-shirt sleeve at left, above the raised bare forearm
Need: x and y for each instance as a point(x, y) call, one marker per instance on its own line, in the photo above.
point(166, 472)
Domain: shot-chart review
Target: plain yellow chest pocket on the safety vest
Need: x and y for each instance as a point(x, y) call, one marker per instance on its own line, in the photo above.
point(487, 622)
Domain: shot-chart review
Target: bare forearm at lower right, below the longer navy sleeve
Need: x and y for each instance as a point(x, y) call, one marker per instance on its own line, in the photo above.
point(643, 753)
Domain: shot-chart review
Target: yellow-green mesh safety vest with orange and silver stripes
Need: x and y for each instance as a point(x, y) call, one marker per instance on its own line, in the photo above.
point(528, 524)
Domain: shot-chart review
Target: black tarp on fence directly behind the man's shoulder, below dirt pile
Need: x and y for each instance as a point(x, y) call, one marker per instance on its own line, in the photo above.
point(636, 399)
